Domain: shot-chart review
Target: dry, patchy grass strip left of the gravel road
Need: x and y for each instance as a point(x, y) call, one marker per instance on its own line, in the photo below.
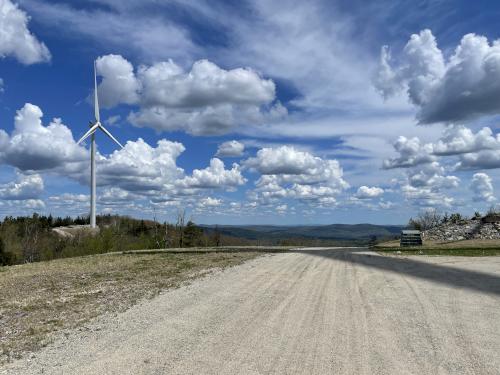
point(40, 299)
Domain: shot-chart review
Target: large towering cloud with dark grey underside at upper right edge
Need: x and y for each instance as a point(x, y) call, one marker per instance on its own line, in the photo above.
point(463, 87)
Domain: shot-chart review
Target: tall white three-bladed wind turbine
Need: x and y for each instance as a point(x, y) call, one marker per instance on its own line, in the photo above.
point(93, 128)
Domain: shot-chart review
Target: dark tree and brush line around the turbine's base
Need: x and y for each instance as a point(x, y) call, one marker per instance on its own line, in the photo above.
point(25, 239)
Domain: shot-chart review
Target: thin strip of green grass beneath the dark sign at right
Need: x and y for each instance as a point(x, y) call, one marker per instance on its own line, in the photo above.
point(457, 248)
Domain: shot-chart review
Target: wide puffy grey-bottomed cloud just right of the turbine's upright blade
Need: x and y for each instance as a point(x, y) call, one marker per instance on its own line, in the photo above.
point(206, 100)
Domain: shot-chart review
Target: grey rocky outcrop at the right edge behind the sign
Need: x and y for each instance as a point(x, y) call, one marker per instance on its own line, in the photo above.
point(464, 230)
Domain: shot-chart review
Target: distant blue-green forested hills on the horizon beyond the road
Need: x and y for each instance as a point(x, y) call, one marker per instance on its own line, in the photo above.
point(338, 232)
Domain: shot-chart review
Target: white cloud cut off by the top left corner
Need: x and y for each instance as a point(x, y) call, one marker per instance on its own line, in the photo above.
point(15, 38)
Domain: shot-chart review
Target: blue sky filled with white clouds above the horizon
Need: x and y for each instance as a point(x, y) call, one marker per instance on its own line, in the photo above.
point(251, 112)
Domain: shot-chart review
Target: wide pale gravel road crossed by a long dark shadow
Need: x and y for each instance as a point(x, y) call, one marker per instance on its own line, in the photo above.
point(322, 311)
